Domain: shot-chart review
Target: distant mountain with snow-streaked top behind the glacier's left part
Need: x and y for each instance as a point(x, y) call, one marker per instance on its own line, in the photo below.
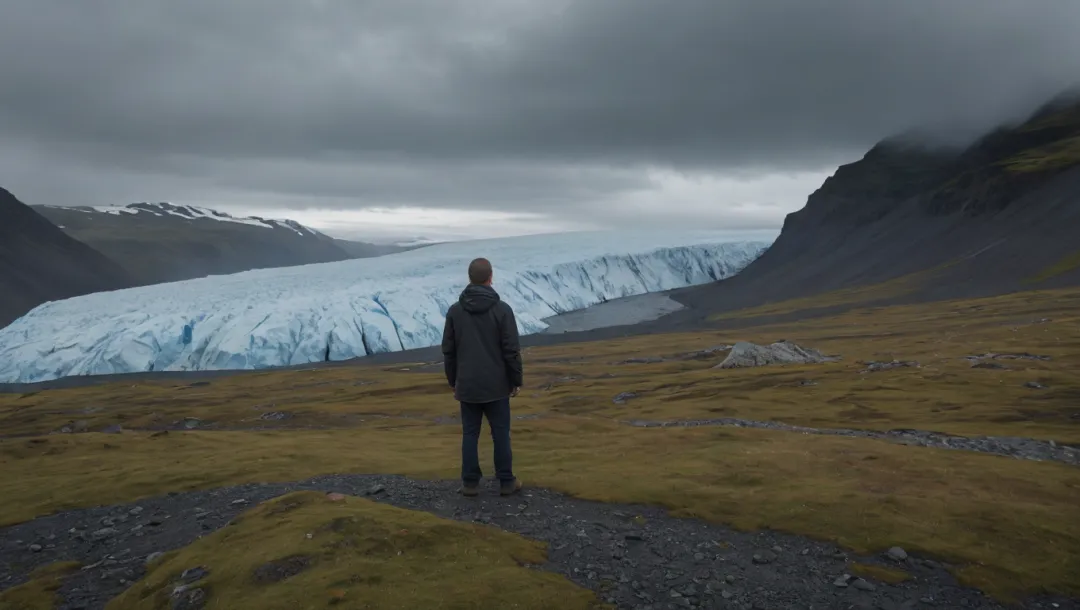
point(161, 242)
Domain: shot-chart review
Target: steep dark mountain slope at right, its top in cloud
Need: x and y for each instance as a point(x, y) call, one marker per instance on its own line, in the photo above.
point(1000, 216)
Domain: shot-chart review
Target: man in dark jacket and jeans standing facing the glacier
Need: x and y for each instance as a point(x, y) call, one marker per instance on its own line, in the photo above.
point(483, 362)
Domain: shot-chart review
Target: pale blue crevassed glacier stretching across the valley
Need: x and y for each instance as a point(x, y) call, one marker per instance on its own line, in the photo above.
point(336, 311)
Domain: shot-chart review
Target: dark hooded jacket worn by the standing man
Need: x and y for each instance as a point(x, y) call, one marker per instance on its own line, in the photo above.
point(481, 348)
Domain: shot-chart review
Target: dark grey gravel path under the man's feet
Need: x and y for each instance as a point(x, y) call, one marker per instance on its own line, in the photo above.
point(636, 558)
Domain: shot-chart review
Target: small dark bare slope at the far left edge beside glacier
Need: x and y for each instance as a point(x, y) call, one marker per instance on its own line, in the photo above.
point(39, 263)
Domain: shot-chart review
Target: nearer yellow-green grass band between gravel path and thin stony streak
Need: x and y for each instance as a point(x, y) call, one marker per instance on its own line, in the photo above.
point(1012, 522)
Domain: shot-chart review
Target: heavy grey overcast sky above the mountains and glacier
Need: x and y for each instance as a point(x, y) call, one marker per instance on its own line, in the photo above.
point(452, 119)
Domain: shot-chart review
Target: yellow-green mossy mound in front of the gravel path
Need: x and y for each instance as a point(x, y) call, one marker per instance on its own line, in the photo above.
point(303, 551)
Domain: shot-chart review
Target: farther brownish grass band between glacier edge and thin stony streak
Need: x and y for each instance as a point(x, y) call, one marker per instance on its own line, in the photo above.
point(946, 395)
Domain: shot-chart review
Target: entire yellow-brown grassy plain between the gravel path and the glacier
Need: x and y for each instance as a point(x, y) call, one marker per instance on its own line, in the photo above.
point(1012, 525)
